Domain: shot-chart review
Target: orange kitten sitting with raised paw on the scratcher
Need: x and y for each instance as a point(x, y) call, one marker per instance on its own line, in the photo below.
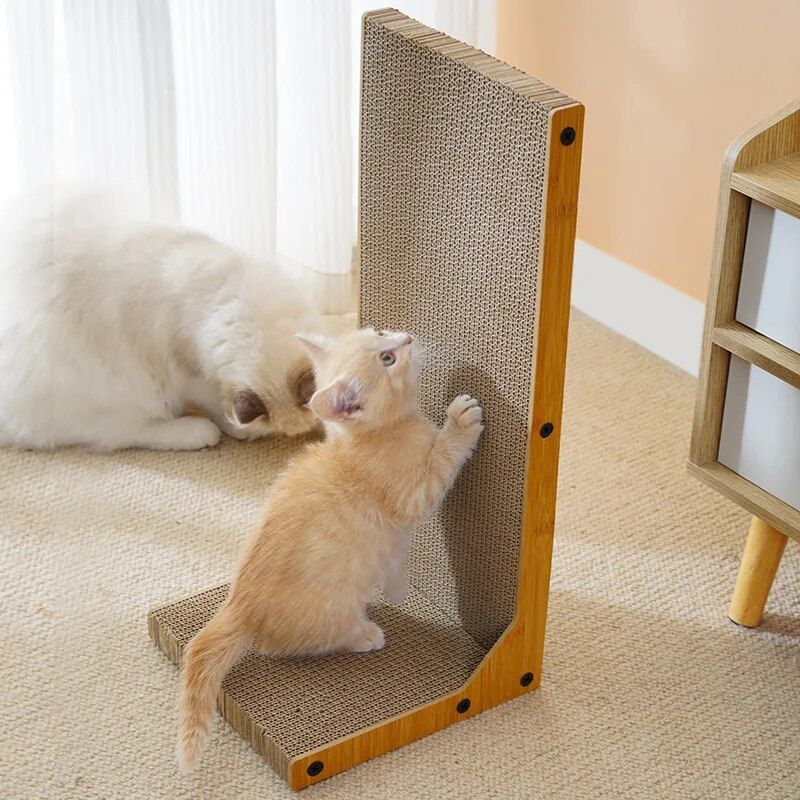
point(337, 521)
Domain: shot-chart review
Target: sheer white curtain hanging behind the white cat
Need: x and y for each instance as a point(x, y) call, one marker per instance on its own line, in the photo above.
point(236, 117)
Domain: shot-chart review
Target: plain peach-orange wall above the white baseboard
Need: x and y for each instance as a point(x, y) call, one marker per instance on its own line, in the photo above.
point(667, 84)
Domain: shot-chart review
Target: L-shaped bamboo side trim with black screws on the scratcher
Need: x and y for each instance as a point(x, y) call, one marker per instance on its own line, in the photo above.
point(513, 666)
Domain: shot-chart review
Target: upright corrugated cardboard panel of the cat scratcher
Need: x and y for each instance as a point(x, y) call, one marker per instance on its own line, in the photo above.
point(454, 148)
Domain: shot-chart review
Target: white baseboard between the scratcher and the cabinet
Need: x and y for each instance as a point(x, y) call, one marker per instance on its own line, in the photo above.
point(643, 309)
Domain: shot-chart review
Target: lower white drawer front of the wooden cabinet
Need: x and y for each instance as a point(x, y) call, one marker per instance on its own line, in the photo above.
point(760, 436)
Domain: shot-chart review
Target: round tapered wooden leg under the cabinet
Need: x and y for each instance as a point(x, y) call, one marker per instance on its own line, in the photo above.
point(762, 555)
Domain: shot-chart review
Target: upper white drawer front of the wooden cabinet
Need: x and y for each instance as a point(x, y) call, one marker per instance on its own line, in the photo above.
point(769, 294)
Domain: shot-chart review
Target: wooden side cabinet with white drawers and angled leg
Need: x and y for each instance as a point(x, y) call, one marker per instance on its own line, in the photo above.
point(746, 435)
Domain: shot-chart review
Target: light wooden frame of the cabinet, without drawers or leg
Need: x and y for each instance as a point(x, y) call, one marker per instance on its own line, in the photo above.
point(772, 140)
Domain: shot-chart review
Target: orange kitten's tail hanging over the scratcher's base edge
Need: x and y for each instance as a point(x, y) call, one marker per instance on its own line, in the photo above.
point(209, 657)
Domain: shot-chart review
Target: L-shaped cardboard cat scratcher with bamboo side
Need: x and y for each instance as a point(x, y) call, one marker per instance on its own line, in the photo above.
point(469, 183)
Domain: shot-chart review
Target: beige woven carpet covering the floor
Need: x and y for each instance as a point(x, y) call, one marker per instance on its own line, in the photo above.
point(648, 692)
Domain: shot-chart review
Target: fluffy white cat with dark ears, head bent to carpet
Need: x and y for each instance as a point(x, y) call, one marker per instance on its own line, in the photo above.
point(110, 329)
